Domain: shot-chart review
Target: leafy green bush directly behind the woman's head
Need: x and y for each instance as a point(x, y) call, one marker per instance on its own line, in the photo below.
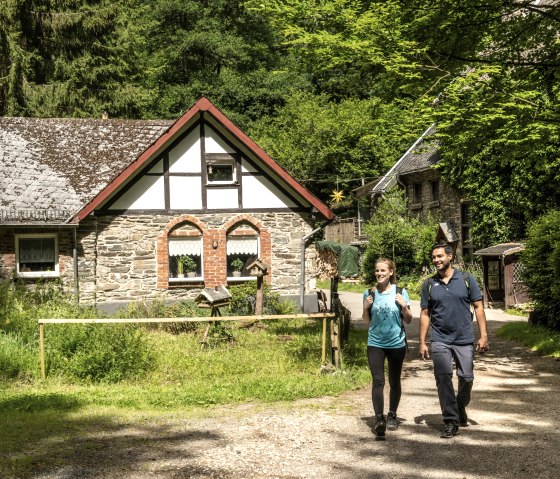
point(395, 235)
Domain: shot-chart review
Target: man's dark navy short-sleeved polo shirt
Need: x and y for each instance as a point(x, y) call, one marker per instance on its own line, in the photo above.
point(449, 306)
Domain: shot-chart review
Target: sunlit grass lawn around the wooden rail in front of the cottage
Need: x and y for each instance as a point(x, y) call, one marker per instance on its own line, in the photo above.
point(279, 361)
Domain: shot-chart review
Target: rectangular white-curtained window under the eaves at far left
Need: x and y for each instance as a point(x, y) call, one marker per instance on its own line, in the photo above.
point(37, 255)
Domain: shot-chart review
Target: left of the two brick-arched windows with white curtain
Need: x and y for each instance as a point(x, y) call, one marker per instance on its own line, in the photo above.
point(185, 259)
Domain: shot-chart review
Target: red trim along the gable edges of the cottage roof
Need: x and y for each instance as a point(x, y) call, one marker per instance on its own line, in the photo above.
point(203, 104)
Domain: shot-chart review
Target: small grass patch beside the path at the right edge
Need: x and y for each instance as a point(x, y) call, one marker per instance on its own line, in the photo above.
point(536, 338)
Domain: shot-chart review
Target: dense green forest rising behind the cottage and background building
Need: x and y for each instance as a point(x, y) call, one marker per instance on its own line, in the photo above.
point(334, 90)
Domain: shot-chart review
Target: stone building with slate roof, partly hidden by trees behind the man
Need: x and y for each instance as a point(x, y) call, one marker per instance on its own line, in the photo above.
point(426, 195)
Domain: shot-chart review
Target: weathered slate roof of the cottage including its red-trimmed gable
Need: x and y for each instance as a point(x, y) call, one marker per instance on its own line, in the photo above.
point(55, 171)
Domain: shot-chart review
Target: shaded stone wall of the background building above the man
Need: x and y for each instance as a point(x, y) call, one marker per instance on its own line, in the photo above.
point(446, 209)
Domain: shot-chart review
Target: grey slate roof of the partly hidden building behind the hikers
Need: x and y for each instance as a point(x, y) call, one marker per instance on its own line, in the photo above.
point(422, 155)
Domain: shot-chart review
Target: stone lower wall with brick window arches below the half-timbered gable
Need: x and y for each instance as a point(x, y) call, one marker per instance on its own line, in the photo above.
point(125, 257)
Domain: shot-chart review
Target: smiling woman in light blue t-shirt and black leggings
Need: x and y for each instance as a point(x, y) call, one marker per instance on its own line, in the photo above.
point(383, 306)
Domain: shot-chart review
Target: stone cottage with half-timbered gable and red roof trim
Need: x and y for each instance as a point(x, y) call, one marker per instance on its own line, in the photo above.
point(113, 208)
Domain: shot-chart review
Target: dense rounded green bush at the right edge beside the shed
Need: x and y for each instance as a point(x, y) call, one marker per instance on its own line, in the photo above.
point(541, 259)
